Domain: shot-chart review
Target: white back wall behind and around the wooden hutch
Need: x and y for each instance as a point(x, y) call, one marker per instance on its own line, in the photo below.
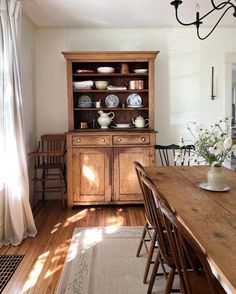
point(182, 81)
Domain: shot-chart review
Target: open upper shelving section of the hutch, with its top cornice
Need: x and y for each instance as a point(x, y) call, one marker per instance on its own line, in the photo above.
point(82, 67)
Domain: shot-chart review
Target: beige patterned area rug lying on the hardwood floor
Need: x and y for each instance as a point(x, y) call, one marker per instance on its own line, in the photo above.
point(103, 261)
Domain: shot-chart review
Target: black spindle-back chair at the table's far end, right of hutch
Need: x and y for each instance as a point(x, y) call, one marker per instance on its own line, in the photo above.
point(167, 153)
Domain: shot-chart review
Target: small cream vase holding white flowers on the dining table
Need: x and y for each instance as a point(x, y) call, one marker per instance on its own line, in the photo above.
point(216, 178)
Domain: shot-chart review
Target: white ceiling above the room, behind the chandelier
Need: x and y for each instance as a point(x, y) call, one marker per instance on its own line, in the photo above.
point(116, 13)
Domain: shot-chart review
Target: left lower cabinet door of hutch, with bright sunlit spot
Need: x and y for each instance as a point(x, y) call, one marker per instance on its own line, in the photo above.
point(91, 175)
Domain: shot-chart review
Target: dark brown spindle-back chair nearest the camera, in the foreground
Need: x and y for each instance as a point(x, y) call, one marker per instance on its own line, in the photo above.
point(198, 279)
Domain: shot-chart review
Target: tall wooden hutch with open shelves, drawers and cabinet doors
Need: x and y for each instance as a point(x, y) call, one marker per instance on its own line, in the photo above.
point(100, 161)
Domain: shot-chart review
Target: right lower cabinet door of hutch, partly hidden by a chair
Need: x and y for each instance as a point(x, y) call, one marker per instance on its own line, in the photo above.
point(126, 186)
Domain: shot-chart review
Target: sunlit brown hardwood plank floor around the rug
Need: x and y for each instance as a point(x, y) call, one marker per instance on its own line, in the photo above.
point(40, 269)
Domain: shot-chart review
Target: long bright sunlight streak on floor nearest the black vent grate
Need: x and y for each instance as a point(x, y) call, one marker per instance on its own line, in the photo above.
point(35, 273)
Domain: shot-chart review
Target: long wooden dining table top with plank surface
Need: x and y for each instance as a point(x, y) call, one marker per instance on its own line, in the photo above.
point(208, 215)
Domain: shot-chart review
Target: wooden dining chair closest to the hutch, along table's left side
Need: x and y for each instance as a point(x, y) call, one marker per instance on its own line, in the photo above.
point(149, 234)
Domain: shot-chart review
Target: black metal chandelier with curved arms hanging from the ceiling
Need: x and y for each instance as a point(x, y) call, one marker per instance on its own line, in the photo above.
point(225, 5)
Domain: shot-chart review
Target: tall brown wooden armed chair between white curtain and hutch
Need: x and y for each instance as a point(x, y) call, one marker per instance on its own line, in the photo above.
point(49, 165)
